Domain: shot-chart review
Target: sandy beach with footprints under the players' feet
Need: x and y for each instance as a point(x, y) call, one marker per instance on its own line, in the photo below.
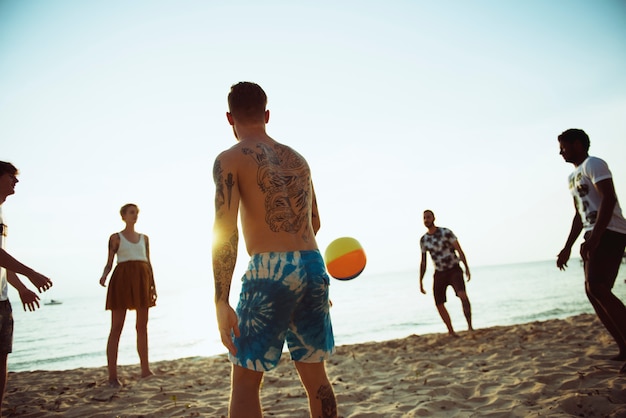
point(556, 368)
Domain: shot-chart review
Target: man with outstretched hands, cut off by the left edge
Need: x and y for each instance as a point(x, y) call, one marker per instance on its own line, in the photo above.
point(9, 268)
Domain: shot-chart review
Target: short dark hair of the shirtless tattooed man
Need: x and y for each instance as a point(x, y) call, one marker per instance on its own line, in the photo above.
point(247, 101)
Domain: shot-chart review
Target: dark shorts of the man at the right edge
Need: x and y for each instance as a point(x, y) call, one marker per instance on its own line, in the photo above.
point(603, 265)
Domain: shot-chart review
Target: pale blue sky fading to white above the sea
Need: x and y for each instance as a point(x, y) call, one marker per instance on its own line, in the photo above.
point(399, 106)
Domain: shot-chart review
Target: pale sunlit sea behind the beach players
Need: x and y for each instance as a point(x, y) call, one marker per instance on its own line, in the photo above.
point(372, 307)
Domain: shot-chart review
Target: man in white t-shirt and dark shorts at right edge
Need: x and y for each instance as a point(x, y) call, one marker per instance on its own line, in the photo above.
point(599, 214)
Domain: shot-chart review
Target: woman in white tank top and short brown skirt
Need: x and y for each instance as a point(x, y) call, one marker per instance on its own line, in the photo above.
point(131, 287)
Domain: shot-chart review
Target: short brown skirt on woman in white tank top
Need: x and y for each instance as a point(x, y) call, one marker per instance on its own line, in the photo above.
point(131, 286)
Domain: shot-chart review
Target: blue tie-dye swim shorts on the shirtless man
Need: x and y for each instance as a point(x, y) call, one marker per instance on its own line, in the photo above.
point(284, 297)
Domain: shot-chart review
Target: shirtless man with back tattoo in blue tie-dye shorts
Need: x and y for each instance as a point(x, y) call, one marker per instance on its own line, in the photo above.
point(284, 295)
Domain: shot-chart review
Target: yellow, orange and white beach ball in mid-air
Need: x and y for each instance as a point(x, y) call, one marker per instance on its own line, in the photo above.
point(345, 258)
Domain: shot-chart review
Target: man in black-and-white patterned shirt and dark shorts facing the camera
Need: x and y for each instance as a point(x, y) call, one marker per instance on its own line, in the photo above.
point(443, 247)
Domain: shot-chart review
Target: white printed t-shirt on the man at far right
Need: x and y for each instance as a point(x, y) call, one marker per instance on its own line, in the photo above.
point(582, 186)
